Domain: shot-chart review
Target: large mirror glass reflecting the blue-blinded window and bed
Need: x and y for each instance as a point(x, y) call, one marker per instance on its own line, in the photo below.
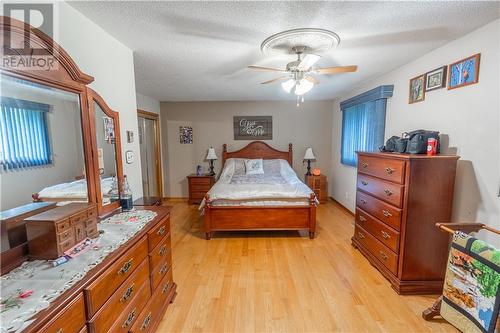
point(41, 144)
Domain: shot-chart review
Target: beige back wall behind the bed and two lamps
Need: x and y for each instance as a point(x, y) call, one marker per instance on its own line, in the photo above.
point(212, 122)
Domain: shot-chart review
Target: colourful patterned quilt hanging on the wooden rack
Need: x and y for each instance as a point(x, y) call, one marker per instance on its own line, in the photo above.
point(471, 296)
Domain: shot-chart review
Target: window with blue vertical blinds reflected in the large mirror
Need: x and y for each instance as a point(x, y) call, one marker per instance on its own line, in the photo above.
point(24, 140)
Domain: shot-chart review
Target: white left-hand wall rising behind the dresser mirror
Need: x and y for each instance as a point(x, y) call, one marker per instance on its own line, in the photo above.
point(111, 64)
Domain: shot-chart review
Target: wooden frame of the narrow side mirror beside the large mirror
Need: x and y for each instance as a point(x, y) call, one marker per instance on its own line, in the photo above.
point(92, 97)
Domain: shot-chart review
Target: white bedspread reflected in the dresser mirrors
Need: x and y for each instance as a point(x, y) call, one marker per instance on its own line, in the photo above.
point(73, 190)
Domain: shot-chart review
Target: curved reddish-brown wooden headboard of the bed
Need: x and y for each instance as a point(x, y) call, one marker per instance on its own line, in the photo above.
point(258, 149)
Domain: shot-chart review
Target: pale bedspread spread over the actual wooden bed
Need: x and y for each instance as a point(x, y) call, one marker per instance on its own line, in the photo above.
point(279, 181)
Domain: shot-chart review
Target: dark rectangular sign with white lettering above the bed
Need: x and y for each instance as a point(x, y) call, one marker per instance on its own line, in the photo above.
point(253, 127)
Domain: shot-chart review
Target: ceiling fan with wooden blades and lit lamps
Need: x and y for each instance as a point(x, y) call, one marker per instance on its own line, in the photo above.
point(299, 73)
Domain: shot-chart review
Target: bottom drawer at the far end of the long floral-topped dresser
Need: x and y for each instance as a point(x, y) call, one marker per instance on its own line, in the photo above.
point(153, 312)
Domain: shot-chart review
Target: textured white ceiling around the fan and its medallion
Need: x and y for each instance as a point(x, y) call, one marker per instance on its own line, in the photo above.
point(198, 51)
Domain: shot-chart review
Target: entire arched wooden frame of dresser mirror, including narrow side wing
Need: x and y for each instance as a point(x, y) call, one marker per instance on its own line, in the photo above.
point(68, 77)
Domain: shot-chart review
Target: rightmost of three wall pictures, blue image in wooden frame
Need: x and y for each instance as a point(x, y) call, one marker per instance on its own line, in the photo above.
point(464, 72)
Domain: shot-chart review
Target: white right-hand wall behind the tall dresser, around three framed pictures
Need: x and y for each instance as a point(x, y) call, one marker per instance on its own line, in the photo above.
point(469, 116)
